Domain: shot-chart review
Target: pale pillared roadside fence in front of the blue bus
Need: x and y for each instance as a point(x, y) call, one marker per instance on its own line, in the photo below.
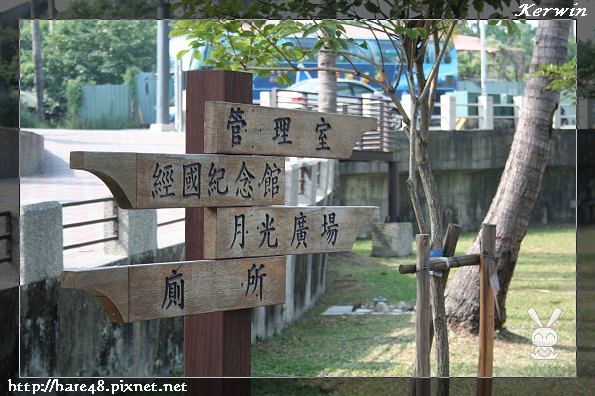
point(452, 112)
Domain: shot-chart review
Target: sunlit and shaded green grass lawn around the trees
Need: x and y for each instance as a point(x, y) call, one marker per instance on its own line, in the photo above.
point(383, 345)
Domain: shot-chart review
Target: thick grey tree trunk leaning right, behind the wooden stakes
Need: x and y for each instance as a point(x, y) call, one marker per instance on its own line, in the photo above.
point(519, 186)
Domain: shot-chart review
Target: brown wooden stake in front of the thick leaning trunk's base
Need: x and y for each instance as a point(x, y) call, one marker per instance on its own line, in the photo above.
point(486, 310)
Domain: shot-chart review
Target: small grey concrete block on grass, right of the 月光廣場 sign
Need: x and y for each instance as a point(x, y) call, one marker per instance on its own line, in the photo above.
point(392, 239)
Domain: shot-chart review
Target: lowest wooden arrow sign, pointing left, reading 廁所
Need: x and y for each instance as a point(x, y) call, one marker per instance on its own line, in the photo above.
point(153, 291)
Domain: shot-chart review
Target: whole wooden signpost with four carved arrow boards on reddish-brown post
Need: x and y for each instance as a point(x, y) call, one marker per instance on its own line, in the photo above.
point(238, 225)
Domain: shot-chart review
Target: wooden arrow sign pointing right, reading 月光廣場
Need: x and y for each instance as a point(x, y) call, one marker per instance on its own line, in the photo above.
point(271, 231)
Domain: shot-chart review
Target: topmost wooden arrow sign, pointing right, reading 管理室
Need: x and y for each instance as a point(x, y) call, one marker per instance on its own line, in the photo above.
point(247, 129)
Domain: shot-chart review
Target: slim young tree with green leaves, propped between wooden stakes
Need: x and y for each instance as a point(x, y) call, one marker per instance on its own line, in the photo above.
point(253, 45)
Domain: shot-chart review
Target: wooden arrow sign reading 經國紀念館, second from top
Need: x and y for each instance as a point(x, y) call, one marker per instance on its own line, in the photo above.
point(141, 181)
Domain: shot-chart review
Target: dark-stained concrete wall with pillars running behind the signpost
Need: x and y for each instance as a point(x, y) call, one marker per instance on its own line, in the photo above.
point(65, 332)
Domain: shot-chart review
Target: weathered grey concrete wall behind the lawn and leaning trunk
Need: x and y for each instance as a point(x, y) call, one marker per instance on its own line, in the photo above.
point(467, 166)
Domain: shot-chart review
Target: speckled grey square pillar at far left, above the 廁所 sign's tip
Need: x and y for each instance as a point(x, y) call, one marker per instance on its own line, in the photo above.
point(41, 241)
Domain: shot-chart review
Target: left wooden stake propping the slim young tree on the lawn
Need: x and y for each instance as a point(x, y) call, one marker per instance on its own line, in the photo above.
point(423, 317)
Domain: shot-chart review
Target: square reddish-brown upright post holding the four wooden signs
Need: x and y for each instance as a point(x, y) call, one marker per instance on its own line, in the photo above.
point(215, 344)
